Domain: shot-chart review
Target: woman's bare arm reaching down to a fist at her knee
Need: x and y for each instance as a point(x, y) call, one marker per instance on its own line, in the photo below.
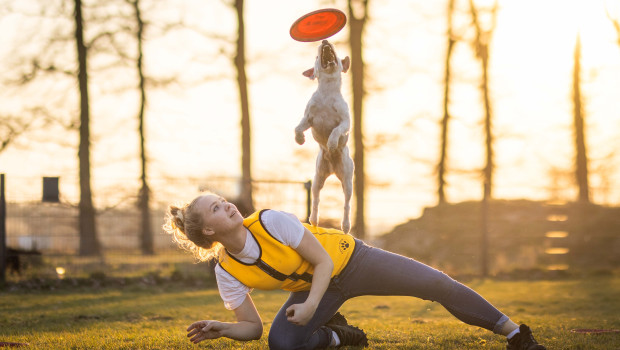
point(312, 251)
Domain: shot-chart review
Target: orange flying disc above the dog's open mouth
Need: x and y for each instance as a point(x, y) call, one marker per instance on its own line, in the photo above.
point(318, 25)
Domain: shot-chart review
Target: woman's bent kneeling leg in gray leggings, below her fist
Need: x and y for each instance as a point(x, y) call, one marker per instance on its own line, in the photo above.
point(314, 335)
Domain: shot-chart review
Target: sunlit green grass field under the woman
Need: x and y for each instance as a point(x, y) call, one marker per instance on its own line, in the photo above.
point(142, 316)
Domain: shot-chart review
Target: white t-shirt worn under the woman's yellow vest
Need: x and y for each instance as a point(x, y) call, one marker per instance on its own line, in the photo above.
point(285, 227)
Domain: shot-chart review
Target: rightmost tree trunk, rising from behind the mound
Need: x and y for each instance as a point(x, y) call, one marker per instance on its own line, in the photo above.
point(581, 169)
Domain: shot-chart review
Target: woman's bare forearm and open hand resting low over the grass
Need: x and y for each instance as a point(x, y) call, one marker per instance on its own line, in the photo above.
point(248, 326)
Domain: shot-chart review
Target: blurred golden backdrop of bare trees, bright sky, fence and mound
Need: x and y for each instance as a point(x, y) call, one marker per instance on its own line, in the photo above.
point(485, 133)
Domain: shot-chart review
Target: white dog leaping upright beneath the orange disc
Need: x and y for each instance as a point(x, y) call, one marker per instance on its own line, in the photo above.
point(327, 113)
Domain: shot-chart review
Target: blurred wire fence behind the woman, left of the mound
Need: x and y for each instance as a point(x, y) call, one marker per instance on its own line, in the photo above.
point(41, 221)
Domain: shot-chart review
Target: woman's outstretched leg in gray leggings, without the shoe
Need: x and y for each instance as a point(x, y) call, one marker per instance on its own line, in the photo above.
point(378, 272)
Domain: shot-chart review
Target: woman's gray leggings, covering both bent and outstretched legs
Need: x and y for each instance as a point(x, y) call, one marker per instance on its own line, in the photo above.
point(373, 271)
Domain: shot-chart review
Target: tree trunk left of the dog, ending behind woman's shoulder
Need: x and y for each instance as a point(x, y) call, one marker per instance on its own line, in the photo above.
point(245, 201)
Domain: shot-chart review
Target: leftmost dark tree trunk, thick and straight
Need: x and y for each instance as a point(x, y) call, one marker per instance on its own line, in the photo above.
point(89, 245)
